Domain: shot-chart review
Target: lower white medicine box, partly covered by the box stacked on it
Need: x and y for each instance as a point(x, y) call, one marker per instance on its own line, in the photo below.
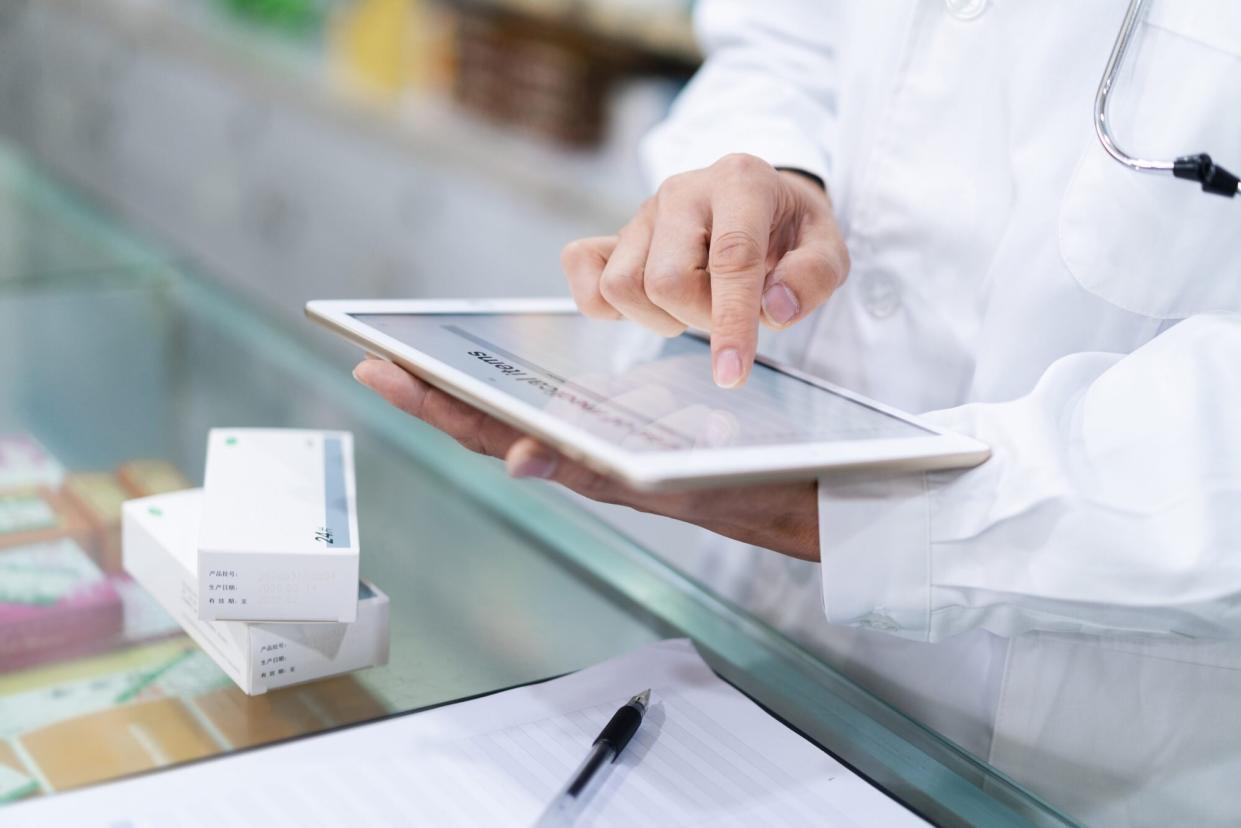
point(159, 539)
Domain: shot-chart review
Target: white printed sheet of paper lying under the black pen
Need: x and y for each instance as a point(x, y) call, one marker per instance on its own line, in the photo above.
point(704, 755)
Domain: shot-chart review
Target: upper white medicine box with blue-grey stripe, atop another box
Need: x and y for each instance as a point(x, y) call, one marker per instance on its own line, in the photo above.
point(279, 539)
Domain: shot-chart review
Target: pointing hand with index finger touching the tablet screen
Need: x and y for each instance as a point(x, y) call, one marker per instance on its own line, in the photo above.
point(719, 250)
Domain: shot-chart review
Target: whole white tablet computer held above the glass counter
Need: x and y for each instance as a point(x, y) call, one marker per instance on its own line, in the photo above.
point(635, 405)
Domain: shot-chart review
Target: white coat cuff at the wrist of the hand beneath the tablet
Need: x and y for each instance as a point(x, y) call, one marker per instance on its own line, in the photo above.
point(876, 549)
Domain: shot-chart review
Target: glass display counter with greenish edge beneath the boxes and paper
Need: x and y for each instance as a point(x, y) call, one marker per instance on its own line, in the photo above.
point(114, 353)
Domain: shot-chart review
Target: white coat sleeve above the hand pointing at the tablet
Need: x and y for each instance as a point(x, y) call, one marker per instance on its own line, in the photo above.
point(768, 89)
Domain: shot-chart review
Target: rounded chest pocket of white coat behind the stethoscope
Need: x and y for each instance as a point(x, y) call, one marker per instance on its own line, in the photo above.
point(1151, 244)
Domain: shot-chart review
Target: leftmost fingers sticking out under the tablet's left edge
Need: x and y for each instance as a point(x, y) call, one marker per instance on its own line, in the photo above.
point(461, 421)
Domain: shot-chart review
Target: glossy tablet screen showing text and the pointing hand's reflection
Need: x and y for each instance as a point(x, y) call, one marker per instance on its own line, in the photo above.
point(634, 388)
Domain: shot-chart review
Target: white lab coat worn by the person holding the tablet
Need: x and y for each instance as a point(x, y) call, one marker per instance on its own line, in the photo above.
point(1084, 587)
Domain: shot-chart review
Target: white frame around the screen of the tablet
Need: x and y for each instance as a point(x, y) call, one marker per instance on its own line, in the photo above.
point(646, 471)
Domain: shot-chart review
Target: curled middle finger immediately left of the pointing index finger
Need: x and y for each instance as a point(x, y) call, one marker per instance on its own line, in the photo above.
point(677, 279)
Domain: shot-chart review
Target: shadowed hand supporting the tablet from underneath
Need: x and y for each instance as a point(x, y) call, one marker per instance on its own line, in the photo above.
point(782, 518)
